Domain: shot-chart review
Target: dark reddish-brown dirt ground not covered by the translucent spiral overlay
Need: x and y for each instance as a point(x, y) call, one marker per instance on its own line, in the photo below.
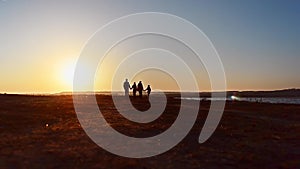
point(44, 132)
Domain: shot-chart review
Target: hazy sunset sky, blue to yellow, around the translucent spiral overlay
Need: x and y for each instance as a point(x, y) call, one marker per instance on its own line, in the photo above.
point(40, 41)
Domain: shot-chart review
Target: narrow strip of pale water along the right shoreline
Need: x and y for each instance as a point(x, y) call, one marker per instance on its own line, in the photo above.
point(251, 99)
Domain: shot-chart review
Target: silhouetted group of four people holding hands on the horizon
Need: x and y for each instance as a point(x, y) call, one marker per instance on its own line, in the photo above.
point(135, 88)
